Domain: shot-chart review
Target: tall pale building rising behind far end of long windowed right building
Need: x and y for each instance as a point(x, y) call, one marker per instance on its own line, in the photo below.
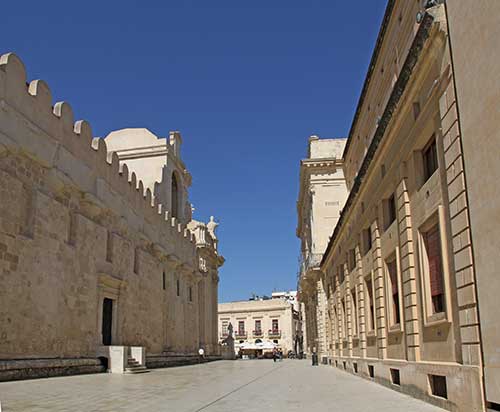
point(322, 196)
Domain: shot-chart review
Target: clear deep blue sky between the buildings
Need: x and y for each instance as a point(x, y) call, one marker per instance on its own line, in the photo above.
point(245, 82)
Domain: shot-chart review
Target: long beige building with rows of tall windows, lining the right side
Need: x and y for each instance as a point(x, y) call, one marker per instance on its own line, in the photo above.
point(410, 273)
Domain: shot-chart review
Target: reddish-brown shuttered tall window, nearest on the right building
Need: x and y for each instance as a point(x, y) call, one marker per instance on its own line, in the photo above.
point(432, 244)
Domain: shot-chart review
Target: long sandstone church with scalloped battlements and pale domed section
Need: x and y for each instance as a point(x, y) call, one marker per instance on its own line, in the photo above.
point(98, 249)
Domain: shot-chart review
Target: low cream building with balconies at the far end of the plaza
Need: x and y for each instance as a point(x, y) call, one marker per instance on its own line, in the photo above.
point(256, 321)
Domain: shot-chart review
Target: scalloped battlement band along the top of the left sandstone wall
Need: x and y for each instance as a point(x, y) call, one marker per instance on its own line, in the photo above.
point(32, 125)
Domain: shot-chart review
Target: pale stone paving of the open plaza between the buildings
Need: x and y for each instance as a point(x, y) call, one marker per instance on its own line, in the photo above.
point(234, 386)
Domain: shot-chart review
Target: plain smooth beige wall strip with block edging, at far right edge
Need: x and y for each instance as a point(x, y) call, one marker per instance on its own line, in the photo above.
point(474, 153)
